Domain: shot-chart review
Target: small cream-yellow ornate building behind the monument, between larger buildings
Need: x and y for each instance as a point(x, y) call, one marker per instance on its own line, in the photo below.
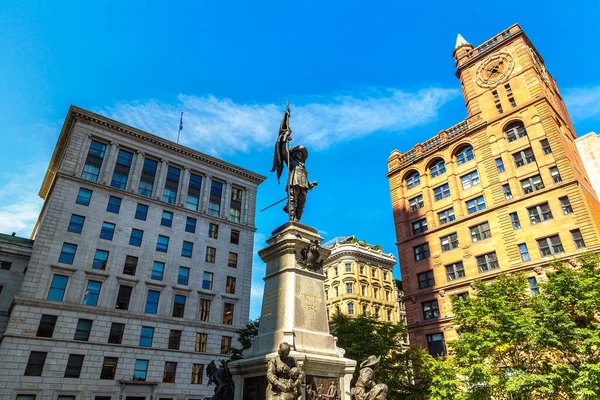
point(359, 280)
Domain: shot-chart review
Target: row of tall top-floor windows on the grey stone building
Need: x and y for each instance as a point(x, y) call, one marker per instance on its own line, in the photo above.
point(122, 172)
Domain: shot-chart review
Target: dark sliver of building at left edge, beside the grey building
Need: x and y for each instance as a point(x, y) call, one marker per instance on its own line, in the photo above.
point(14, 256)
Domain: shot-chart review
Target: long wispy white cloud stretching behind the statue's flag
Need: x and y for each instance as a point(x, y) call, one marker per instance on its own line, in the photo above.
point(321, 121)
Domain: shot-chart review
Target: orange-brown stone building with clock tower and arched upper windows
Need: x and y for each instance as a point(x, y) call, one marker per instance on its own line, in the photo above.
point(503, 190)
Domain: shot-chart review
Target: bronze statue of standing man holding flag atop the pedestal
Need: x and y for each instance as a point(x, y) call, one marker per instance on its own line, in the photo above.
point(295, 158)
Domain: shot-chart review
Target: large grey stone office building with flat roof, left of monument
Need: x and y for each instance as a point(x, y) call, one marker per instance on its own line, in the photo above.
point(140, 272)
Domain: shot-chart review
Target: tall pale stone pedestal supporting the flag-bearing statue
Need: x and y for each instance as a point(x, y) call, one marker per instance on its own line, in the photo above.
point(294, 310)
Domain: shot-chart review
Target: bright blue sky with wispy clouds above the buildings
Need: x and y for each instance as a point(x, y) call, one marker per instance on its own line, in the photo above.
point(363, 79)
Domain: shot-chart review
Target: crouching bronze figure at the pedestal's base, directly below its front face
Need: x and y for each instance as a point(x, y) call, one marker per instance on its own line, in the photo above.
point(284, 376)
